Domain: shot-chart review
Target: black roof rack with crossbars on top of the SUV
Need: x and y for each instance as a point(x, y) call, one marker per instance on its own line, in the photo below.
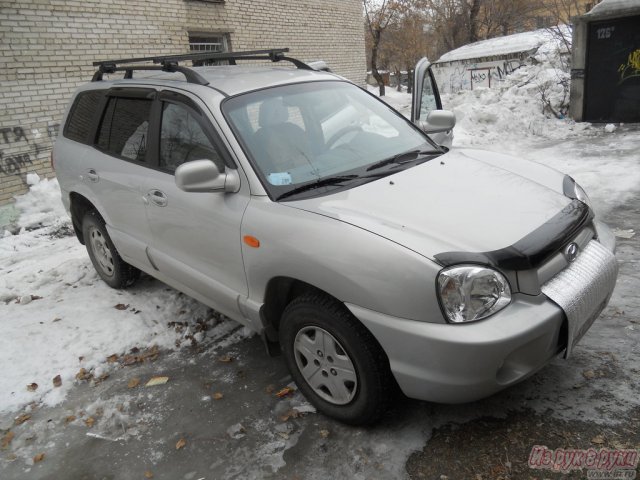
point(170, 63)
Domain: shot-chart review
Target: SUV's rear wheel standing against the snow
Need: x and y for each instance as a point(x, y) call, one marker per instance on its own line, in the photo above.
point(103, 254)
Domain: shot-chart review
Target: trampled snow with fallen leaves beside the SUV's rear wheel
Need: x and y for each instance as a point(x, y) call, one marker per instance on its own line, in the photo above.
point(57, 316)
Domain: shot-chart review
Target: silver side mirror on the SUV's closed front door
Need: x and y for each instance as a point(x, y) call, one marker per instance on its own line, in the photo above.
point(204, 176)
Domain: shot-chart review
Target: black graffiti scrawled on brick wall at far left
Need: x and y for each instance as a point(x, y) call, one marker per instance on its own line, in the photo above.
point(18, 151)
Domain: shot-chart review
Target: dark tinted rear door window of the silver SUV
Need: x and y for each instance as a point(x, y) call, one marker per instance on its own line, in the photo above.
point(125, 127)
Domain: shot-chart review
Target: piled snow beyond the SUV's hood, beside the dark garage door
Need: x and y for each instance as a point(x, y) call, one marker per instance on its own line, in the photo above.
point(511, 118)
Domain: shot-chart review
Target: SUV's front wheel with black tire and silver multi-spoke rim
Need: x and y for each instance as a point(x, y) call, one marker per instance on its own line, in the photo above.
point(335, 361)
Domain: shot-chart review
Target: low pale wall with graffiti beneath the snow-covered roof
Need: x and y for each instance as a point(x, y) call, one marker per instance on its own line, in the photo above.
point(466, 75)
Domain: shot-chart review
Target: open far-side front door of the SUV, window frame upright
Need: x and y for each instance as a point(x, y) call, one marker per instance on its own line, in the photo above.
point(426, 98)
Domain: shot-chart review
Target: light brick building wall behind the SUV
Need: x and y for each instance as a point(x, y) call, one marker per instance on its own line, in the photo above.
point(48, 45)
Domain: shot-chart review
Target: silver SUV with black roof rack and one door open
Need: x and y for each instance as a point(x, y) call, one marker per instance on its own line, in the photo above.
point(296, 203)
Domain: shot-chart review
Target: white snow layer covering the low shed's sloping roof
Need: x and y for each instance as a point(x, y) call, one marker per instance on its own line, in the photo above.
point(516, 43)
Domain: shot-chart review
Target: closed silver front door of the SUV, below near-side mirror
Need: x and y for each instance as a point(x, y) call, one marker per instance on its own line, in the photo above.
point(196, 236)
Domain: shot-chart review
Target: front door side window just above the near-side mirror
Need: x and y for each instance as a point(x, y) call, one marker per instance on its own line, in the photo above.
point(182, 139)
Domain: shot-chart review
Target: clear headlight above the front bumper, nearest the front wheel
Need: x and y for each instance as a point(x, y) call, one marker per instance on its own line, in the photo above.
point(471, 292)
